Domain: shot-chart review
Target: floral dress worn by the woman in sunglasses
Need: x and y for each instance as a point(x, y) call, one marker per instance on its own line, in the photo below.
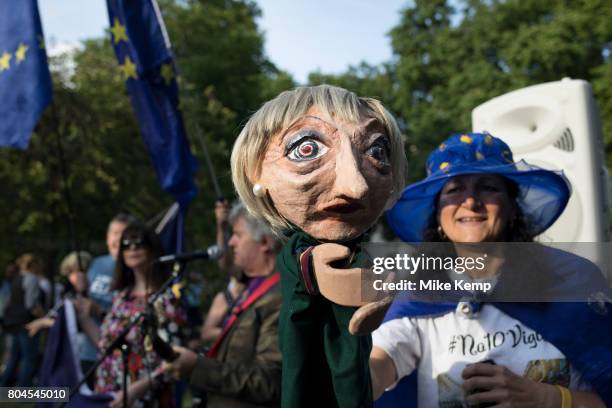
point(142, 360)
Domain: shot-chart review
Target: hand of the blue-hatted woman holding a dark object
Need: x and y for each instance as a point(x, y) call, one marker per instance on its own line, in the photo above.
point(495, 385)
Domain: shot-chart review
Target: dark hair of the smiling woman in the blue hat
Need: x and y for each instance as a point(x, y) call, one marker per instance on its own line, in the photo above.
point(517, 231)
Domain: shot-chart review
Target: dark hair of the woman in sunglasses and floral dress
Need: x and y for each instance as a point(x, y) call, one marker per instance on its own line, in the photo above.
point(124, 276)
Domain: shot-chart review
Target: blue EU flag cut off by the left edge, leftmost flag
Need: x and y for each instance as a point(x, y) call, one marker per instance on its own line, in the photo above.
point(25, 82)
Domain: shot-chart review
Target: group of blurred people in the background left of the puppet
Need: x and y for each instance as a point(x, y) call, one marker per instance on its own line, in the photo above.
point(109, 290)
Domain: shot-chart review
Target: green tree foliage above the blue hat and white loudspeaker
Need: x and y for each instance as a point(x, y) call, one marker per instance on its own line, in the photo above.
point(450, 56)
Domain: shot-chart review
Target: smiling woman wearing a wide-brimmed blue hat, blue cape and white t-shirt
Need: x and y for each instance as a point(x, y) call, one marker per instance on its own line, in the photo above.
point(473, 351)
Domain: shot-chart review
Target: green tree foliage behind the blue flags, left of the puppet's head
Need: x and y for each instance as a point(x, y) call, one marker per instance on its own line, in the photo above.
point(91, 136)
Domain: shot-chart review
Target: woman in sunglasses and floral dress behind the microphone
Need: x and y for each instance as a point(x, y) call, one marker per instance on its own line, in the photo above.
point(136, 278)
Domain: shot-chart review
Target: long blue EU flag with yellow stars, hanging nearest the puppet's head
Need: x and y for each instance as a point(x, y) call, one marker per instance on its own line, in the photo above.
point(146, 63)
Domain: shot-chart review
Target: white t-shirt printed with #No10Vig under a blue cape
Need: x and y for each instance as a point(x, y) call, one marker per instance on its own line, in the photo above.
point(441, 347)
